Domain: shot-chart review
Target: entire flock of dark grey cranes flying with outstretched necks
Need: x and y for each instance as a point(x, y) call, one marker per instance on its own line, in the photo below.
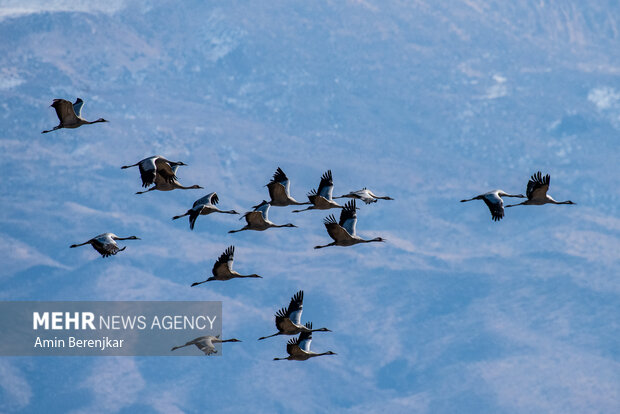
point(159, 173)
